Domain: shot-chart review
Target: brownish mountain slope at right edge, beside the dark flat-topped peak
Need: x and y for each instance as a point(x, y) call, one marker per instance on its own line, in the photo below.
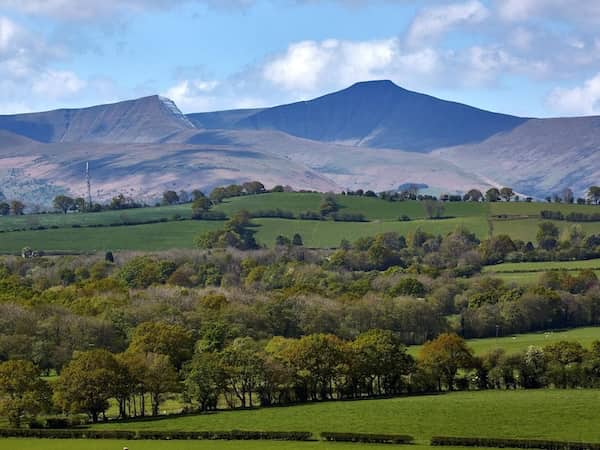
point(540, 157)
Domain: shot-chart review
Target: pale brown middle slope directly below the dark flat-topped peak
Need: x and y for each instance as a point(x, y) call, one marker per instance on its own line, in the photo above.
point(350, 167)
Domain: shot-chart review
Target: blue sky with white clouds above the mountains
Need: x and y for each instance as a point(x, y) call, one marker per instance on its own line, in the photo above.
point(535, 58)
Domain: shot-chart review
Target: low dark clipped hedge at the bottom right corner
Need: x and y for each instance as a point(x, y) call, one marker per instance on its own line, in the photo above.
point(511, 443)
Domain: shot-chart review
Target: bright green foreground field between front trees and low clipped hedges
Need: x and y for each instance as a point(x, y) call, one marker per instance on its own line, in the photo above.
point(534, 414)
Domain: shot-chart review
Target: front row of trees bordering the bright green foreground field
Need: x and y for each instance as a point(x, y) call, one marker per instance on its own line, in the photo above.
point(163, 359)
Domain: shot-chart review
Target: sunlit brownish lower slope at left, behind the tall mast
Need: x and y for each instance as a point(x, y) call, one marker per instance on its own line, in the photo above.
point(36, 172)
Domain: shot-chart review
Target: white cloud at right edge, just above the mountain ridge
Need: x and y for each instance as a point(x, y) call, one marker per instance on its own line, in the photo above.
point(580, 100)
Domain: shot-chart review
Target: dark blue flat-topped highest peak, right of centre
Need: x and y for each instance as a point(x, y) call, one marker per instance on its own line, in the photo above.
point(380, 114)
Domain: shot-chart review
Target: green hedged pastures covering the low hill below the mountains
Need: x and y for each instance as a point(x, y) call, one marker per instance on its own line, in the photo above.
point(69, 232)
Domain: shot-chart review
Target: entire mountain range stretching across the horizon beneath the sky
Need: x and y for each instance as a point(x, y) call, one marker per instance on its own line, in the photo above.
point(372, 135)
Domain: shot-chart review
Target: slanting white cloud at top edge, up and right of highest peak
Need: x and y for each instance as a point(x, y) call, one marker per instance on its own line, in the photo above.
point(432, 22)
